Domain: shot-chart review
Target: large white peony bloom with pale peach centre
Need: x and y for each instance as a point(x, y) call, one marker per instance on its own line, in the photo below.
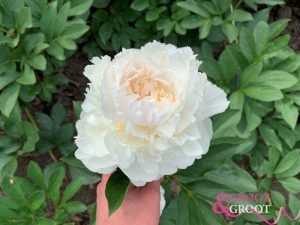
point(147, 112)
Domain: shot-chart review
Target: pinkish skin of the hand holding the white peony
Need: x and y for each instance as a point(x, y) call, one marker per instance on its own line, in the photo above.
point(141, 205)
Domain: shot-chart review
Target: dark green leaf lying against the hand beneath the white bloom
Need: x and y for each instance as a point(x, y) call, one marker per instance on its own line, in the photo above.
point(116, 189)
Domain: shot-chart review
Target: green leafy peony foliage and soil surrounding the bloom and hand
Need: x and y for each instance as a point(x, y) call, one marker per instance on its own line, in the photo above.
point(246, 49)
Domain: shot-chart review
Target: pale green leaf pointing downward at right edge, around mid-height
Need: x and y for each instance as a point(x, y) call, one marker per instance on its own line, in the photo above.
point(288, 111)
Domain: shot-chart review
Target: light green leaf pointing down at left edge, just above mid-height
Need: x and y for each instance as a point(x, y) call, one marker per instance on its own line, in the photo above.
point(8, 98)
